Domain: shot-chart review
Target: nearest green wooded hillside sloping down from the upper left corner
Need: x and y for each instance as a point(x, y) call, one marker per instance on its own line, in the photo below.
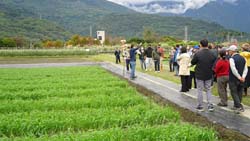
point(19, 22)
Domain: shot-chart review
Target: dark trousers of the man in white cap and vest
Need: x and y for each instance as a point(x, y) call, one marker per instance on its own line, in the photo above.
point(236, 88)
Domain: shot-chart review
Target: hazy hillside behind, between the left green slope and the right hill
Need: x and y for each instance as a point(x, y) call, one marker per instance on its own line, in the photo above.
point(74, 15)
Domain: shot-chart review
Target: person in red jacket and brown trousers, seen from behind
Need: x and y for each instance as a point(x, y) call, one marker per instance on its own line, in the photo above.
point(222, 73)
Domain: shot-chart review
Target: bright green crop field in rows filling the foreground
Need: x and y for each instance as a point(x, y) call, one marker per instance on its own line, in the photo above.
point(84, 103)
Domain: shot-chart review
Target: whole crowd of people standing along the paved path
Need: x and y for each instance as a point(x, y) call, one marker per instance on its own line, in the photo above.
point(200, 65)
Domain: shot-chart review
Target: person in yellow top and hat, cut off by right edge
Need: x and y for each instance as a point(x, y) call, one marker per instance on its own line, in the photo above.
point(246, 54)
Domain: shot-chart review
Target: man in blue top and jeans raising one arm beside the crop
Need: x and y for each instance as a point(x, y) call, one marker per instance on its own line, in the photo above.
point(132, 54)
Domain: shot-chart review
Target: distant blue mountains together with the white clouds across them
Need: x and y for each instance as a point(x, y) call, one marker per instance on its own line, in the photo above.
point(232, 14)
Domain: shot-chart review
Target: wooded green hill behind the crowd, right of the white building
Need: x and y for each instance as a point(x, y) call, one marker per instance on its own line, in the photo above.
point(132, 25)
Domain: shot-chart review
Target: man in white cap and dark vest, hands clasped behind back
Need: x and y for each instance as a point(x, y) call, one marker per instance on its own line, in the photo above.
point(237, 74)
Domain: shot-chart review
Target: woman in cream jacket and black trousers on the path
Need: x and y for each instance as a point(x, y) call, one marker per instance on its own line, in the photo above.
point(184, 62)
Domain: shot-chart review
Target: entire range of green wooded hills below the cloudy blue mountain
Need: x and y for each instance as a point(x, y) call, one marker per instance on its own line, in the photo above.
point(60, 19)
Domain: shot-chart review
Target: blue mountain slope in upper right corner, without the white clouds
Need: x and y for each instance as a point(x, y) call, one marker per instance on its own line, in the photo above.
point(231, 15)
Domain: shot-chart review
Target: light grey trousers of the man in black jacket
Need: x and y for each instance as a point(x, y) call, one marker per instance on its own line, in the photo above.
point(203, 85)
